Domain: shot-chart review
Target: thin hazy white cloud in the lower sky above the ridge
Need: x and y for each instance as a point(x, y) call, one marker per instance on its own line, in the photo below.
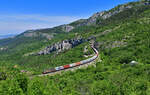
point(14, 24)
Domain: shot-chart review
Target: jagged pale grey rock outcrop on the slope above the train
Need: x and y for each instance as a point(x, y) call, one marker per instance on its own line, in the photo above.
point(61, 46)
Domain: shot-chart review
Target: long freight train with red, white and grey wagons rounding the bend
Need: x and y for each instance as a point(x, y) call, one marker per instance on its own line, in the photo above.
point(73, 64)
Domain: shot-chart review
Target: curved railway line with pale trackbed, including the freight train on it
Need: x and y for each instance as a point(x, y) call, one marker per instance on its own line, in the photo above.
point(72, 66)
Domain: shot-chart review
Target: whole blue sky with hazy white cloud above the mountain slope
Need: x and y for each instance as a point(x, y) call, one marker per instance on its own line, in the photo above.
point(16, 16)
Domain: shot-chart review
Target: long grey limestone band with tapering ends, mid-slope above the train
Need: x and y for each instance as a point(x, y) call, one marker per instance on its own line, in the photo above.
point(61, 46)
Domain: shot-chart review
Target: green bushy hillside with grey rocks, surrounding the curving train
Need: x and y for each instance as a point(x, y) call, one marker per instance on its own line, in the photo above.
point(122, 36)
